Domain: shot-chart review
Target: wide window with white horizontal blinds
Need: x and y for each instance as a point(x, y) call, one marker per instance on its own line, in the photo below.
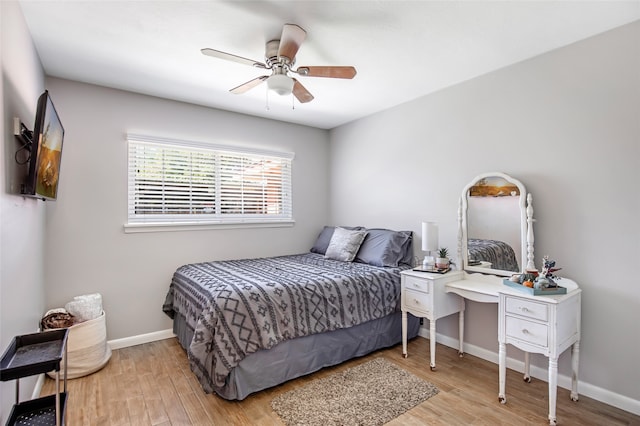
point(174, 183)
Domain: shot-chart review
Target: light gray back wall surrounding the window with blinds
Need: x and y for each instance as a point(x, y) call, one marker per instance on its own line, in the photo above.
point(87, 249)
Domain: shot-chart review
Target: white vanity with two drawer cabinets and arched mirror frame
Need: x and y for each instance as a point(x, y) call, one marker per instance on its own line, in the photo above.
point(547, 324)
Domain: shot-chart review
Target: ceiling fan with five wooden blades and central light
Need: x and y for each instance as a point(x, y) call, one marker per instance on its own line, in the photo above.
point(280, 56)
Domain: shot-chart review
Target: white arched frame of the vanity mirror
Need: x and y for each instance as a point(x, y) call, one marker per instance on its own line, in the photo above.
point(526, 227)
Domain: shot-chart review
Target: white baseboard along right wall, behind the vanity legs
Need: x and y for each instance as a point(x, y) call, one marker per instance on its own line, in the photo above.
point(587, 389)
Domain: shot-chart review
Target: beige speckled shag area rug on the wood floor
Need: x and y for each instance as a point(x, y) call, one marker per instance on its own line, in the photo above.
point(372, 393)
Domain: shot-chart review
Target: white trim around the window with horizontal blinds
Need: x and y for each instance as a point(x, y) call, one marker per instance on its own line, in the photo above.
point(190, 224)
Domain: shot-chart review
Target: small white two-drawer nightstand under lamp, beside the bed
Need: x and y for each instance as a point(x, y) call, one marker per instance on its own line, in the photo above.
point(424, 296)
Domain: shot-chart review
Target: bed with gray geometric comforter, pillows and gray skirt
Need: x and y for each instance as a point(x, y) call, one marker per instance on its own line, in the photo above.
point(251, 324)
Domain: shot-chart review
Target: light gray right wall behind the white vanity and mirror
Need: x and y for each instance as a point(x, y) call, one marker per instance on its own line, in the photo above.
point(567, 124)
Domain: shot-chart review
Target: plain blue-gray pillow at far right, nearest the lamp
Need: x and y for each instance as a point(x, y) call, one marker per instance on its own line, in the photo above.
point(384, 247)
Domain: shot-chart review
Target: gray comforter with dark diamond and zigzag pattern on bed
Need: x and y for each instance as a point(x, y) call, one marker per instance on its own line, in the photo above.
point(238, 307)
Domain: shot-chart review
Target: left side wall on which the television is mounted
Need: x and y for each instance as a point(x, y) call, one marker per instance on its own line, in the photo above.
point(21, 219)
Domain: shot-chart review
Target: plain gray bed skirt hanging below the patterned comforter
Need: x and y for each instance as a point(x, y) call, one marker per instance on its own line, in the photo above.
point(304, 355)
